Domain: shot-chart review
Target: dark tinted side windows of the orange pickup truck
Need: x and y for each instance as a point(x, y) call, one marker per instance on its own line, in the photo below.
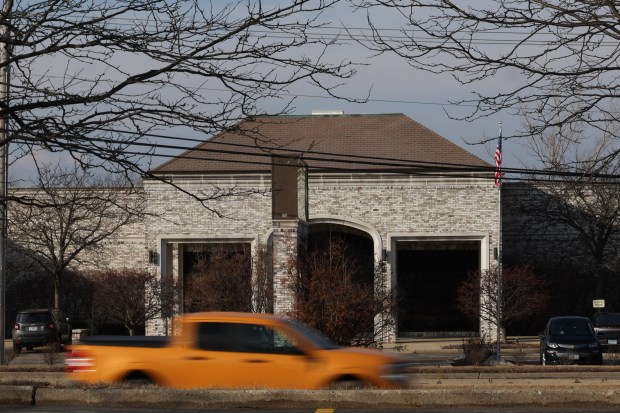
point(250, 338)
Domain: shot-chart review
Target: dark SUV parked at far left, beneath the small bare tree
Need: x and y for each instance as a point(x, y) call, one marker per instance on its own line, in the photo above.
point(40, 327)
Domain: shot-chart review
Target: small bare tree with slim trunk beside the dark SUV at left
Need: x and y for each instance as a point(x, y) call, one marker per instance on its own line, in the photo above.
point(63, 221)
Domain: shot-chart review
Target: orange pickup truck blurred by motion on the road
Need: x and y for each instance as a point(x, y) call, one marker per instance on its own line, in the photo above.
point(234, 350)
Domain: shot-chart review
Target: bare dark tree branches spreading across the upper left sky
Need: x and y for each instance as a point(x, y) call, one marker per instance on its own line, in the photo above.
point(98, 80)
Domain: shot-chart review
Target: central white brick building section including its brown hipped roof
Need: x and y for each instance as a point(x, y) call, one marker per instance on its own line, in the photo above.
point(395, 191)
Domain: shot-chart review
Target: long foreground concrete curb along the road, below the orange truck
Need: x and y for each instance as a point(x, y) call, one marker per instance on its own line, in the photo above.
point(605, 396)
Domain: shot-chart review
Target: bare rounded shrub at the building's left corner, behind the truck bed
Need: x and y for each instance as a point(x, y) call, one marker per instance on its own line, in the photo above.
point(127, 296)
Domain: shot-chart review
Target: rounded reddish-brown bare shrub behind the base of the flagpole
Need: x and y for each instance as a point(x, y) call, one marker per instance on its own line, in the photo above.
point(524, 295)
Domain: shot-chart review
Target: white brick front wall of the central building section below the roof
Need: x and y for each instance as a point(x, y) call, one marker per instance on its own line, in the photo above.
point(385, 204)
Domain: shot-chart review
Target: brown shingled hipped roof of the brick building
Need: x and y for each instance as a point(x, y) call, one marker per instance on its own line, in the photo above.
point(387, 142)
